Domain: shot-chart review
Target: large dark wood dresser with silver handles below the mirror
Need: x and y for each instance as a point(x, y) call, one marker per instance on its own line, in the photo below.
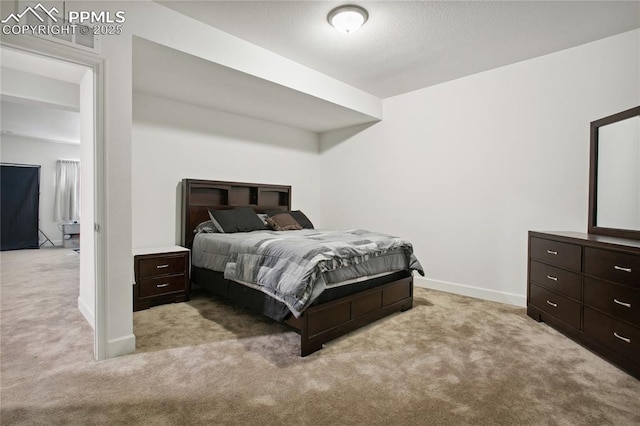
point(588, 288)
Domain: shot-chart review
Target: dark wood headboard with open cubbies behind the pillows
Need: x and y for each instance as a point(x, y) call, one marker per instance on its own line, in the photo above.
point(199, 196)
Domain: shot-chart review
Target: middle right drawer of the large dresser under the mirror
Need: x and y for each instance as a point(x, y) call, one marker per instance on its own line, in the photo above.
point(618, 301)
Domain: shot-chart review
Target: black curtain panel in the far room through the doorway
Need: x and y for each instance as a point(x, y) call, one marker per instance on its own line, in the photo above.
point(19, 206)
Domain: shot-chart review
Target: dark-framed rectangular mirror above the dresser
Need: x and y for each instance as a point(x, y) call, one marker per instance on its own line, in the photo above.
point(614, 176)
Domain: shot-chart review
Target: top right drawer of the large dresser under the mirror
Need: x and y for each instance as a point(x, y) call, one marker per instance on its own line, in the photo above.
point(613, 266)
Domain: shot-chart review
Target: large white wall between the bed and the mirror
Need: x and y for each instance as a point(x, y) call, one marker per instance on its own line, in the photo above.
point(464, 169)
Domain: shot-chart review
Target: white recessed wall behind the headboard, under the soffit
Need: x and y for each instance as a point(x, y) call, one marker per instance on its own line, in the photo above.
point(172, 141)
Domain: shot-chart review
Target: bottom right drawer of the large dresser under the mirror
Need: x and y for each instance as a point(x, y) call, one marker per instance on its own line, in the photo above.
point(621, 337)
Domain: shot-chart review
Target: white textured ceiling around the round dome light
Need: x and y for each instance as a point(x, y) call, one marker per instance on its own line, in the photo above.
point(407, 45)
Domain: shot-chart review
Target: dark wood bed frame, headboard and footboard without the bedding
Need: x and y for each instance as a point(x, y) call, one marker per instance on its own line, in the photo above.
point(319, 323)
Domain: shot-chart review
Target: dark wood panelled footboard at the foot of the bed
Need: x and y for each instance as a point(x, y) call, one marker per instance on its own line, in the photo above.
point(322, 323)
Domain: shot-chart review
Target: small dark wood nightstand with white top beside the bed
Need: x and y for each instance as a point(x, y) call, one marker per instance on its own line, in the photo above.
point(161, 276)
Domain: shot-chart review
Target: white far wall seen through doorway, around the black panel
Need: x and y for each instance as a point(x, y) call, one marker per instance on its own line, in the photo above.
point(44, 153)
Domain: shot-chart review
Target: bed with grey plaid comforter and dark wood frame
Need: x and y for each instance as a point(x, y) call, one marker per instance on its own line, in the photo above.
point(343, 302)
